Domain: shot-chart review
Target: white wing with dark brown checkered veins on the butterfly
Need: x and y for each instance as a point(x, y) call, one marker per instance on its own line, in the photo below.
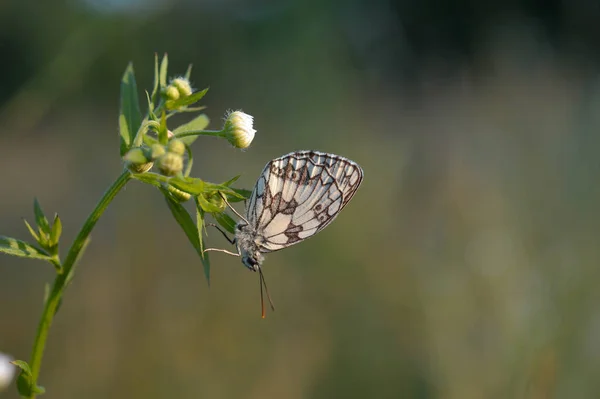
point(299, 194)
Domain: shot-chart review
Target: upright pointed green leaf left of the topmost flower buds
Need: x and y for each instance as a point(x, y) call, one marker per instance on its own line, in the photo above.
point(129, 116)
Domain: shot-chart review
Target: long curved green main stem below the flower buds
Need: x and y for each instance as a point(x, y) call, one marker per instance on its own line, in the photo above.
point(62, 280)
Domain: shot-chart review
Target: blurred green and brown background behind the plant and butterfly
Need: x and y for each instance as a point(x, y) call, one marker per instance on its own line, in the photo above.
point(467, 265)
